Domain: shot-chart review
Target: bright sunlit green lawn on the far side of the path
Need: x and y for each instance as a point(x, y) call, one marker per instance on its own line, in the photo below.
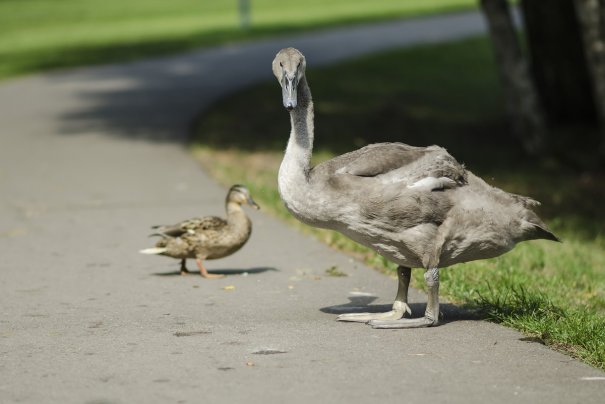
point(37, 35)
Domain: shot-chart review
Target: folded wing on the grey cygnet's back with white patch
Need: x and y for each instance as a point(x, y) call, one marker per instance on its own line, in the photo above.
point(421, 167)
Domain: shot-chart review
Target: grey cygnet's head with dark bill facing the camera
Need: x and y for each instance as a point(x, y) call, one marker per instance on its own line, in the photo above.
point(289, 68)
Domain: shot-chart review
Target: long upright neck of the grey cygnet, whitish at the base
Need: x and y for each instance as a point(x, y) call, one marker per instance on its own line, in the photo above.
point(294, 169)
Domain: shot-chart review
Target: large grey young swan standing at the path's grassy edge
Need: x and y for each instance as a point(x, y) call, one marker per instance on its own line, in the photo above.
point(416, 206)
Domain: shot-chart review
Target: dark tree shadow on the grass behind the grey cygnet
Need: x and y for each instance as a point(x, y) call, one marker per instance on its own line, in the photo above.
point(455, 104)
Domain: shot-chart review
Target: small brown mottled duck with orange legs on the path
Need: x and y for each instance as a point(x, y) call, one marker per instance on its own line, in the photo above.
point(207, 237)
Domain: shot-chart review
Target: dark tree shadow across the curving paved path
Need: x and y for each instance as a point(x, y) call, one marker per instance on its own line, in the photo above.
point(156, 100)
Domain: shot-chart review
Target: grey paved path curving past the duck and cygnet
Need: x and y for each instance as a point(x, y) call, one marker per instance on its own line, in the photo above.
point(89, 158)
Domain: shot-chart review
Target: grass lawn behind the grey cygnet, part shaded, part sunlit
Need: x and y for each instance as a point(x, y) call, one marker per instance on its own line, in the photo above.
point(449, 95)
